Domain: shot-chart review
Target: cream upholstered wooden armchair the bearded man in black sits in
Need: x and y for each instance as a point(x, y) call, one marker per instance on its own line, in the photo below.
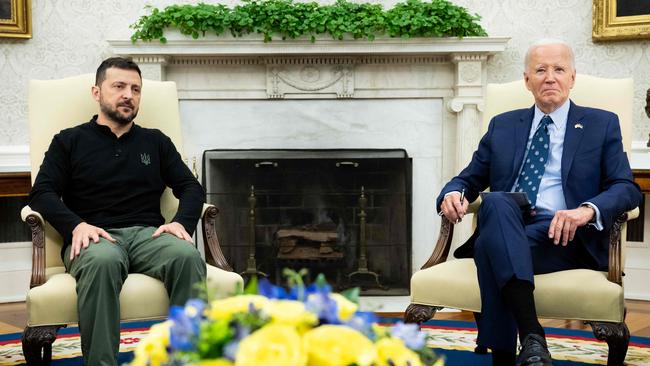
point(52, 298)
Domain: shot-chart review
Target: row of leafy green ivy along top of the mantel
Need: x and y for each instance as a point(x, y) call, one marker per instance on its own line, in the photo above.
point(413, 18)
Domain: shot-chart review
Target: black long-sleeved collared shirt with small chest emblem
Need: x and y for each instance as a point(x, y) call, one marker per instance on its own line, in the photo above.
point(90, 175)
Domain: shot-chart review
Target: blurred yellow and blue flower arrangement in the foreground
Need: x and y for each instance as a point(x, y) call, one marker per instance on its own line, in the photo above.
point(269, 325)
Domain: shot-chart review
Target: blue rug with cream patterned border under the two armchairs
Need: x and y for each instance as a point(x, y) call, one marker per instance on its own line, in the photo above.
point(454, 339)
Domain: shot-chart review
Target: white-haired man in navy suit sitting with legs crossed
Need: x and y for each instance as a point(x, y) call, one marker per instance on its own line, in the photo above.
point(570, 161)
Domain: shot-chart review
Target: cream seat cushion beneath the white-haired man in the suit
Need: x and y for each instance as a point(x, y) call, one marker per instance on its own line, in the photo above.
point(561, 295)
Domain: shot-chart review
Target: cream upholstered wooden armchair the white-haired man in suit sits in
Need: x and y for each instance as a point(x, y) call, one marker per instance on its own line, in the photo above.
point(581, 294)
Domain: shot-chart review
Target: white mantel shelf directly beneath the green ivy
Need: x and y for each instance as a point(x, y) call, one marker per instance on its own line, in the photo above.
point(252, 45)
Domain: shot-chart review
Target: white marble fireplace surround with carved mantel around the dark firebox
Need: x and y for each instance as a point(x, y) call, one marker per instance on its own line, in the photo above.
point(424, 96)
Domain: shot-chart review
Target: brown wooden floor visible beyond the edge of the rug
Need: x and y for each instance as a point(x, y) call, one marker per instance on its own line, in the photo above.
point(13, 318)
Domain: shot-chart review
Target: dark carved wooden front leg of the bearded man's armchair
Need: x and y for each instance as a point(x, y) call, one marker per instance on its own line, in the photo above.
point(37, 344)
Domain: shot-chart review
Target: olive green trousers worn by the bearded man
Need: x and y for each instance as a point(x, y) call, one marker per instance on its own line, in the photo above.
point(101, 269)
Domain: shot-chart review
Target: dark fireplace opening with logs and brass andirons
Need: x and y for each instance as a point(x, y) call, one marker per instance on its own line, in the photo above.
point(344, 213)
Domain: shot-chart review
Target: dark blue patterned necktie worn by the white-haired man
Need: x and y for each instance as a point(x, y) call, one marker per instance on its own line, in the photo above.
point(535, 162)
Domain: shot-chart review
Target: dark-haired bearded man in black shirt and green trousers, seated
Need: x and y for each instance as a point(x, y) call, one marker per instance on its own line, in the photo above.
point(99, 186)
